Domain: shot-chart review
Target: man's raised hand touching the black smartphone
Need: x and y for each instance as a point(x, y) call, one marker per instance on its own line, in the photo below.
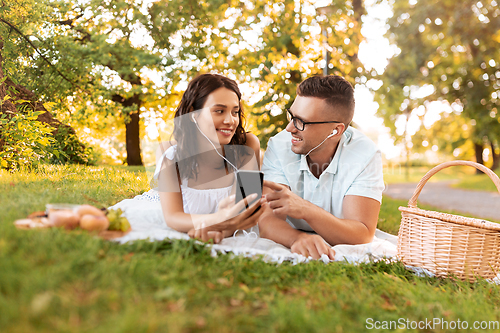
point(284, 202)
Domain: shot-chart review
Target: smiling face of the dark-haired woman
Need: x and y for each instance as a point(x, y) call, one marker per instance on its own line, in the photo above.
point(220, 116)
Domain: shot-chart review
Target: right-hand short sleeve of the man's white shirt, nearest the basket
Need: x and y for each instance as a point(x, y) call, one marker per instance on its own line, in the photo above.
point(370, 182)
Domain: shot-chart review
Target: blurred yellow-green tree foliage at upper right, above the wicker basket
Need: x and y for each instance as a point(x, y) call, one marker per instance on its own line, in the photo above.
point(451, 46)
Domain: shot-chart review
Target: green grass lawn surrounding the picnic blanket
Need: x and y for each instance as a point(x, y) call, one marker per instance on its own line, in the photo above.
point(53, 280)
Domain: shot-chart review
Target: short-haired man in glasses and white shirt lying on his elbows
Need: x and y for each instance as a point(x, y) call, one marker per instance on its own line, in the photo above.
point(323, 179)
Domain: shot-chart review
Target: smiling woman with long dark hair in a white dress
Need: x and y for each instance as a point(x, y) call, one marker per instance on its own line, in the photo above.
point(196, 172)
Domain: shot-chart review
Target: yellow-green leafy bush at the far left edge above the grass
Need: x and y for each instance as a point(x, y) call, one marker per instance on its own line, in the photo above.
point(25, 141)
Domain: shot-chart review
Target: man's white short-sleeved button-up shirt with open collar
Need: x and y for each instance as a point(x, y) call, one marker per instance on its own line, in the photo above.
point(356, 169)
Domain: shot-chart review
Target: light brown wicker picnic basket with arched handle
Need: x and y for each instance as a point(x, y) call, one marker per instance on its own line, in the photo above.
point(446, 244)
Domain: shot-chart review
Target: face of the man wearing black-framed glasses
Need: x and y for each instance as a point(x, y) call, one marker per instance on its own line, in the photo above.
point(310, 109)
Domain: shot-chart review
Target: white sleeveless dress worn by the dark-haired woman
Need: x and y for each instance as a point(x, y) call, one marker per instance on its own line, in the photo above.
point(195, 201)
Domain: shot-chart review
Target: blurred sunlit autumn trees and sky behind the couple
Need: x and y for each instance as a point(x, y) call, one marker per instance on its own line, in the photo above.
point(97, 82)
